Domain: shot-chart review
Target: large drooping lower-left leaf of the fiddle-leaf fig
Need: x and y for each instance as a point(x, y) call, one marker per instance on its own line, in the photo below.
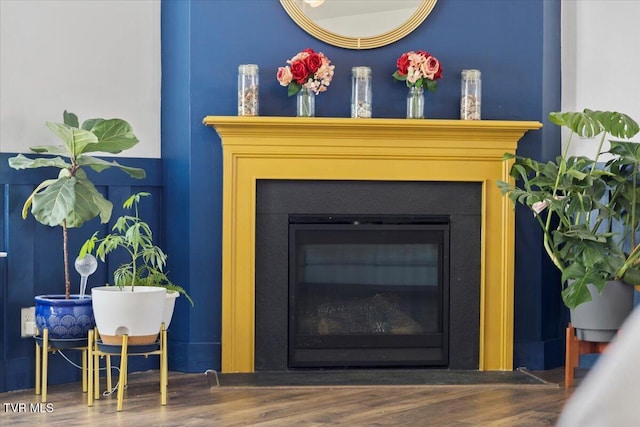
point(52, 205)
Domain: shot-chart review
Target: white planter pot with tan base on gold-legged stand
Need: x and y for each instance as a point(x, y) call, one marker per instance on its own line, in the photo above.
point(138, 313)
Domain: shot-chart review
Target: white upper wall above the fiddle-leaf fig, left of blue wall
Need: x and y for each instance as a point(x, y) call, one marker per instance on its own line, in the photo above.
point(96, 58)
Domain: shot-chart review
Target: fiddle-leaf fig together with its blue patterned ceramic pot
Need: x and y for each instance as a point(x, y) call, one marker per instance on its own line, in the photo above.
point(71, 199)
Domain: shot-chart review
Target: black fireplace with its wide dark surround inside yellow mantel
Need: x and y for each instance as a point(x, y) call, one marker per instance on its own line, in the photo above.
point(425, 238)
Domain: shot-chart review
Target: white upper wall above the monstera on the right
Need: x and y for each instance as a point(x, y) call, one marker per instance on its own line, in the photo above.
point(600, 61)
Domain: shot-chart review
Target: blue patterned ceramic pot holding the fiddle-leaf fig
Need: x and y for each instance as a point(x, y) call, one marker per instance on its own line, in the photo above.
point(65, 318)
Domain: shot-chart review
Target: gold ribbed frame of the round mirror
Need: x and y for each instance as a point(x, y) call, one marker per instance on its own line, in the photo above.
point(358, 42)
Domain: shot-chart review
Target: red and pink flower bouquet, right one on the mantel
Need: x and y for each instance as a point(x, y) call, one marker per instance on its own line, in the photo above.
point(418, 69)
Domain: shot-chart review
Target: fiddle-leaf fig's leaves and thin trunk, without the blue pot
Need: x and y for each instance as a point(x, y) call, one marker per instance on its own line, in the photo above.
point(71, 199)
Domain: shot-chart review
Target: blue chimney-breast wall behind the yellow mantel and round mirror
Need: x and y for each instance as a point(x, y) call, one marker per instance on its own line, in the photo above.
point(516, 45)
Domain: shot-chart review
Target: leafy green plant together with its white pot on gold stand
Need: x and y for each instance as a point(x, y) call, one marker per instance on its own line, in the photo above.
point(143, 296)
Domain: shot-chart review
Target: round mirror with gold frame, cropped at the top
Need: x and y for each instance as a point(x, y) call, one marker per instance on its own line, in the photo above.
point(356, 24)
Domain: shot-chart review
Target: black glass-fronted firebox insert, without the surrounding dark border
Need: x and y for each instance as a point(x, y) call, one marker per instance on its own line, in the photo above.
point(368, 291)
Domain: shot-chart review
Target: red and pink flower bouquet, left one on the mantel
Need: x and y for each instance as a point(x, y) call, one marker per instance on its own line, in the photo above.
point(308, 69)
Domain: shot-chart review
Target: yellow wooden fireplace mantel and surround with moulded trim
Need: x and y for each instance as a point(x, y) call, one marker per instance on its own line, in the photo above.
point(293, 148)
